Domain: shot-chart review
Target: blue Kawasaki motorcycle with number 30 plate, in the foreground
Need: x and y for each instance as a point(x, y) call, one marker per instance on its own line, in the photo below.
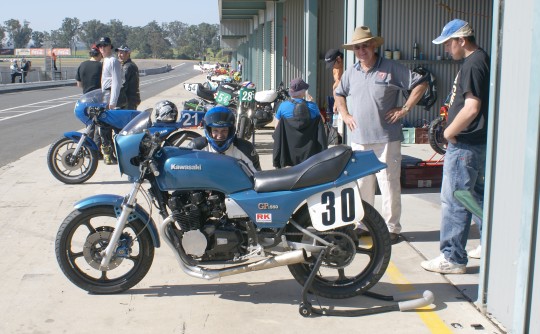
point(215, 211)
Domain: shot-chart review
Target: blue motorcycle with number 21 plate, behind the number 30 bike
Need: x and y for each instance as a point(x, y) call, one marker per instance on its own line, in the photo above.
point(73, 158)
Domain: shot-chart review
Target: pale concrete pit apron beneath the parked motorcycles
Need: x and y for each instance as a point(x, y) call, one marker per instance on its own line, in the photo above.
point(37, 298)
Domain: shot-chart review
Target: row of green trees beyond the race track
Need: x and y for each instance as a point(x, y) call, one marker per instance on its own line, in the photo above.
point(166, 40)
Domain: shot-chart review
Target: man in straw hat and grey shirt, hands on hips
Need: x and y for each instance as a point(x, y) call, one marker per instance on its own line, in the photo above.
point(373, 87)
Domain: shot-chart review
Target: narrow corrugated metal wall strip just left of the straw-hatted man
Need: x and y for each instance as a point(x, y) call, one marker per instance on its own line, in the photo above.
point(330, 36)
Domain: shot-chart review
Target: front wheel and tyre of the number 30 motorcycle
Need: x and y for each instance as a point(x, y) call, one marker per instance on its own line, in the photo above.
point(85, 234)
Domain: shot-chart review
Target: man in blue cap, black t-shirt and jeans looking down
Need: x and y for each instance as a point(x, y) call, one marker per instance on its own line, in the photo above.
point(466, 132)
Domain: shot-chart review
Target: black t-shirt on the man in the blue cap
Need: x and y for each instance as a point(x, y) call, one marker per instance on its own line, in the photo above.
point(474, 78)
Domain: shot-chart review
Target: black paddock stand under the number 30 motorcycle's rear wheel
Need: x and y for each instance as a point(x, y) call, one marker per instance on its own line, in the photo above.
point(306, 309)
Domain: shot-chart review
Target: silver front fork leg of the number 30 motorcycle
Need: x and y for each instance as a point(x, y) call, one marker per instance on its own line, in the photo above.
point(127, 208)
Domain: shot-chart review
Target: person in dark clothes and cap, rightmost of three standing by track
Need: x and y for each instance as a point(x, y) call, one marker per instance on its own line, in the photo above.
point(130, 86)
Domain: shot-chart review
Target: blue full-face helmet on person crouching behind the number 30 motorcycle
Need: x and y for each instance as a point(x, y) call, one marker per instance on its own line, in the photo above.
point(219, 117)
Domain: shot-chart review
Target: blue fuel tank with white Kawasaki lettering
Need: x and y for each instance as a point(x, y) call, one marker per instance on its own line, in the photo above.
point(182, 168)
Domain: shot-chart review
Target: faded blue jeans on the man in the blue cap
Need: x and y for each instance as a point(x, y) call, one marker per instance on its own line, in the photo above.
point(463, 169)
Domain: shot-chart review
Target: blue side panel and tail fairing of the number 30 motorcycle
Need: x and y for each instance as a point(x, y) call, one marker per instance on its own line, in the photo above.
point(362, 163)
